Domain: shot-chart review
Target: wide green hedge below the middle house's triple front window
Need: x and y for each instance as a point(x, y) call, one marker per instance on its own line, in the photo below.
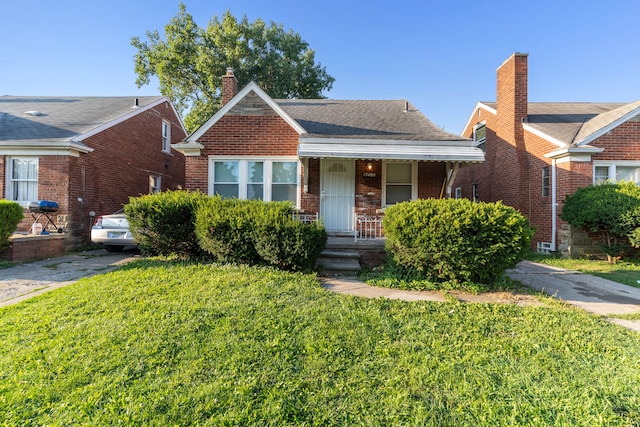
point(257, 232)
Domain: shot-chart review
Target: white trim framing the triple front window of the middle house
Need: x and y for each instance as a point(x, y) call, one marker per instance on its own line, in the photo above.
point(267, 171)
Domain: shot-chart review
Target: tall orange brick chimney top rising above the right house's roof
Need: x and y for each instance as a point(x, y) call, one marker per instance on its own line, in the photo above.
point(512, 96)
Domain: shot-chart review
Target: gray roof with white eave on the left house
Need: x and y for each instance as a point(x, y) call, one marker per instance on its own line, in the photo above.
point(52, 125)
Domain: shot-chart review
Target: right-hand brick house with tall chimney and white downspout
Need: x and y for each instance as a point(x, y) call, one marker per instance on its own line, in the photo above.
point(539, 152)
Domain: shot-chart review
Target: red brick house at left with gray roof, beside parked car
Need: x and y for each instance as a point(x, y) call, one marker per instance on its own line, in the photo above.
point(87, 154)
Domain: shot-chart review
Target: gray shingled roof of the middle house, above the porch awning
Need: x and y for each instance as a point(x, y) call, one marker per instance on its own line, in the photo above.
point(353, 119)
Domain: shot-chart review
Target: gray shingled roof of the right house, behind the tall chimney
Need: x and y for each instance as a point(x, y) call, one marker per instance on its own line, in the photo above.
point(572, 122)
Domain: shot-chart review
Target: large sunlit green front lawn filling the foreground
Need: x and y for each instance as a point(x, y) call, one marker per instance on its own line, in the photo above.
point(166, 343)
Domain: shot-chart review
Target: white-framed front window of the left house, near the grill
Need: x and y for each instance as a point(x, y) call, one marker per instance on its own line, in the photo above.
point(22, 179)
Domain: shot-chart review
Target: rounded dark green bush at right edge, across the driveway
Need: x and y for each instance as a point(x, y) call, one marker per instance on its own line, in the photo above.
point(612, 209)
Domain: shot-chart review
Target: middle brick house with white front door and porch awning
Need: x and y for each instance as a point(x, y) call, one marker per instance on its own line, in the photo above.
point(343, 160)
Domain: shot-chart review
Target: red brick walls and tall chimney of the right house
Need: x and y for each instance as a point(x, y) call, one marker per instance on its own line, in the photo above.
point(515, 157)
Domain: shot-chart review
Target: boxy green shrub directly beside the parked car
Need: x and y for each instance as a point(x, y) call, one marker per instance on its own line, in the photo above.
point(164, 223)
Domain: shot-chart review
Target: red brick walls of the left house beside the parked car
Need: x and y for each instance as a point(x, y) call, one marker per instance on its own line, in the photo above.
point(124, 157)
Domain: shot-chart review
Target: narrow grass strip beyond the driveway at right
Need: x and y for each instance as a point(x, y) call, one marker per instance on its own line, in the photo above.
point(625, 272)
